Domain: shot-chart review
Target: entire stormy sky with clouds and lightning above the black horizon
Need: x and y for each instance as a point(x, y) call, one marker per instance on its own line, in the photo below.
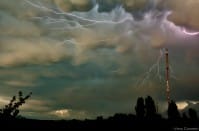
point(84, 58)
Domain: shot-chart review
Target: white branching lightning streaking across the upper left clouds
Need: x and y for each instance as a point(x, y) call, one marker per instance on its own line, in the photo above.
point(71, 18)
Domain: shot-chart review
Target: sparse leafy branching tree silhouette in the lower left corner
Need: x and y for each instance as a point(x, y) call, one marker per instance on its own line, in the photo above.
point(12, 109)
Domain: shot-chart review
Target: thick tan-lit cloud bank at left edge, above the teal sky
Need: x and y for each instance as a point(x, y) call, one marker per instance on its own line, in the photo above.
point(17, 51)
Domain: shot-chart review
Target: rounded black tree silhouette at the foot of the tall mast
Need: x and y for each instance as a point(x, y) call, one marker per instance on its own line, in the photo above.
point(173, 112)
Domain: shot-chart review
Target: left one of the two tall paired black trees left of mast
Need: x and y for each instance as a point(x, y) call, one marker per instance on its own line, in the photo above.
point(140, 108)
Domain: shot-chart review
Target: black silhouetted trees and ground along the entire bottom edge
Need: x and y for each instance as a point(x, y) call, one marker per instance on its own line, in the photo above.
point(146, 117)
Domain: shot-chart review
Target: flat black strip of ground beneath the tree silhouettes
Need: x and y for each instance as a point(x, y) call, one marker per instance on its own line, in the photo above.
point(119, 121)
